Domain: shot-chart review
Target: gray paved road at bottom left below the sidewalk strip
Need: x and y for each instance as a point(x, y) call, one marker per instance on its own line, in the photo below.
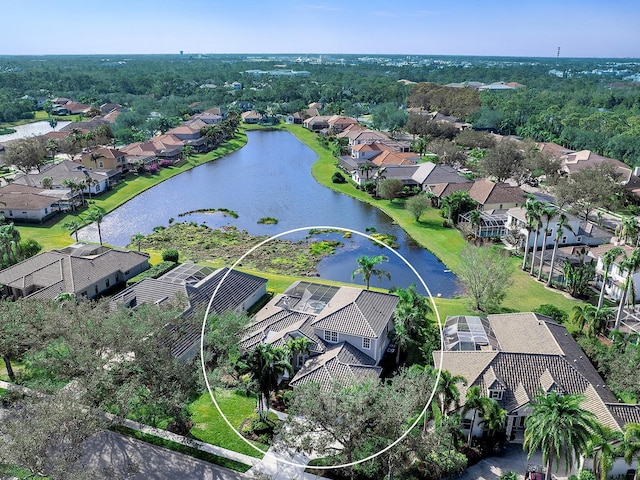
point(118, 456)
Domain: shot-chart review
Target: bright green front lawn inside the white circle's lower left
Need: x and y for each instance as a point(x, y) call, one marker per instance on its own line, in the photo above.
point(210, 427)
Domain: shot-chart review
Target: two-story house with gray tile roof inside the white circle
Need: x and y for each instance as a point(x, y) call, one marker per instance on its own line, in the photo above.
point(347, 329)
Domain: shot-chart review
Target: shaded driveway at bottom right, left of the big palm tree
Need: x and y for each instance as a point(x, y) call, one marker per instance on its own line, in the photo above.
point(512, 459)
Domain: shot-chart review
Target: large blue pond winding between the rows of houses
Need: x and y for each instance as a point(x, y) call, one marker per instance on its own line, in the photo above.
point(271, 177)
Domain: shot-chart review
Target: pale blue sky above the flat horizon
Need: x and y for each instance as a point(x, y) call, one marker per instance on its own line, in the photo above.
point(582, 28)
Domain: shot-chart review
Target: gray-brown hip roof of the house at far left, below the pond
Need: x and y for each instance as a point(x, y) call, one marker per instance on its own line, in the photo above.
point(69, 270)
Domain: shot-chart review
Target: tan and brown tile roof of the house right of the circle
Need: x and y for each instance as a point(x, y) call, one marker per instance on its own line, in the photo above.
point(536, 355)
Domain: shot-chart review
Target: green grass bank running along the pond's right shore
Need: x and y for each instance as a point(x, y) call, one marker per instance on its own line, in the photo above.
point(524, 294)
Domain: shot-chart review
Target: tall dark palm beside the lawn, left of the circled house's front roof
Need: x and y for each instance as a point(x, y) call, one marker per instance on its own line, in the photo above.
point(266, 363)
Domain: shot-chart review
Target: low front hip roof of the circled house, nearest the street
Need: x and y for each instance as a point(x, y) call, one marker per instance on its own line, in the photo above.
point(341, 362)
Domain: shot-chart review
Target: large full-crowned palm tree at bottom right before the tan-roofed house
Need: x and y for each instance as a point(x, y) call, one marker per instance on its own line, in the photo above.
point(559, 427)
